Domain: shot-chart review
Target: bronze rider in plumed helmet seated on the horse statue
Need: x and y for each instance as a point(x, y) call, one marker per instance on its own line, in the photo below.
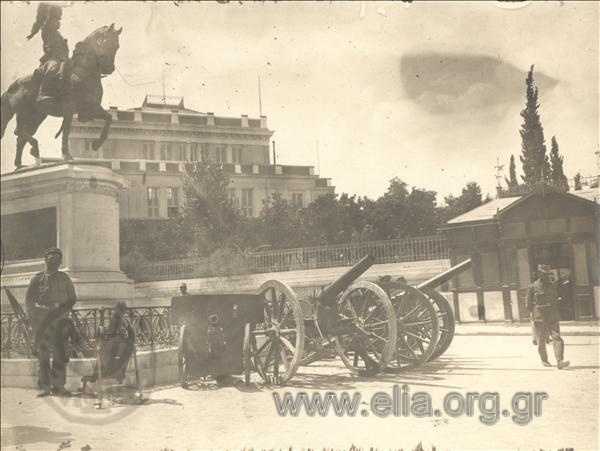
point(54, 67)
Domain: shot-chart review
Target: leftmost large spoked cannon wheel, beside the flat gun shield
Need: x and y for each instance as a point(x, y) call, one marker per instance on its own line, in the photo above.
point(277, 344)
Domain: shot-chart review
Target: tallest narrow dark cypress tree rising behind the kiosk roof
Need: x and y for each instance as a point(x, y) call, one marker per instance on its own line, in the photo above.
point(536, 167)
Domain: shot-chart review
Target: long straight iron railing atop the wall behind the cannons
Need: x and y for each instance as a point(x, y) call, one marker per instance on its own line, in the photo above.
point(432, 247)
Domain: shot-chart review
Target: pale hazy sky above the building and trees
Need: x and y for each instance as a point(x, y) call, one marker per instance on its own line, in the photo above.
point(429, 92)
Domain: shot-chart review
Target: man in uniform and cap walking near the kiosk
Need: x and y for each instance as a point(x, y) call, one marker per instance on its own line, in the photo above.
point(542, 303)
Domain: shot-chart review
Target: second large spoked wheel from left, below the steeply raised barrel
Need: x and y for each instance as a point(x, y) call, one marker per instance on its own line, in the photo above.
point(366, 316)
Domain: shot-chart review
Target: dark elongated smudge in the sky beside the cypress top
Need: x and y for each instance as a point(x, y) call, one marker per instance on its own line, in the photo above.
point(444, 83)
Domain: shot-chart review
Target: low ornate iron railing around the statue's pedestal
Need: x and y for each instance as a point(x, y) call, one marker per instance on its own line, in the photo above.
point(151, 325)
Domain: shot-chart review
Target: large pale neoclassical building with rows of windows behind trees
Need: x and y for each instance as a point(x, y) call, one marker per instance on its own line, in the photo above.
point(149, 146)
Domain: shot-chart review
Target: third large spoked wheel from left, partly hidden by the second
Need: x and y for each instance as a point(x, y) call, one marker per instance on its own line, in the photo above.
point(418, 327)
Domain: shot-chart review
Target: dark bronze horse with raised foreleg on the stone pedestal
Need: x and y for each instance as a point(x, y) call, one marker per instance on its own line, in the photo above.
point(92, 59)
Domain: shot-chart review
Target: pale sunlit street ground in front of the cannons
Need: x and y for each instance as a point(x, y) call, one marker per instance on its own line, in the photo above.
point(207, 416)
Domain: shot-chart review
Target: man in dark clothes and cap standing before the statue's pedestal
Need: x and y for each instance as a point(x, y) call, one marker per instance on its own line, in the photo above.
point(48, 291)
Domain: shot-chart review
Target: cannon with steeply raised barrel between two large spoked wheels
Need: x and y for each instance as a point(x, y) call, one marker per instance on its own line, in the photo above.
point(355, 317)
